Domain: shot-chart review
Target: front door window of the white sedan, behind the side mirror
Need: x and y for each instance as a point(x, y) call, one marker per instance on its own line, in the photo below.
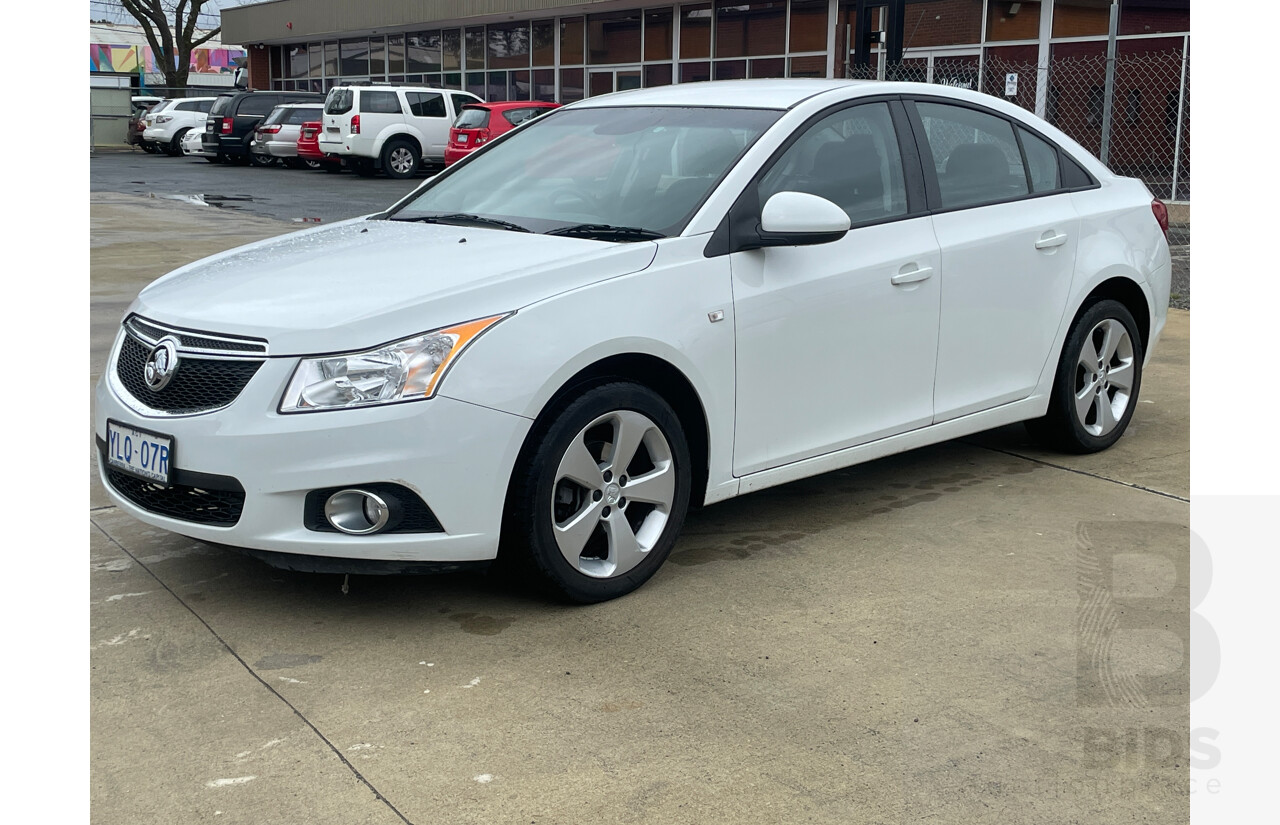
point(852, 159)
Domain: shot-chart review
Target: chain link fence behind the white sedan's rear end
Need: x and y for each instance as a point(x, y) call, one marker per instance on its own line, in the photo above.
point(1148, 135)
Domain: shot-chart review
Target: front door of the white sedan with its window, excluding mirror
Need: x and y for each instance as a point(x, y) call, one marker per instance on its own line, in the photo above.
point(838, 343)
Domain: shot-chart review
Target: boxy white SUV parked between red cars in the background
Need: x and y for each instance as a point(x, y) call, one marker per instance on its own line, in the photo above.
point(394, 129)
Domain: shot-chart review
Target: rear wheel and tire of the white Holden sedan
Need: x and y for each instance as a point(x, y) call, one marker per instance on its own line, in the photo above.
point(1096, 384)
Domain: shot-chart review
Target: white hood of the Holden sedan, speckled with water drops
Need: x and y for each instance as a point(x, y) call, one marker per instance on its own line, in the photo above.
point(368, 282)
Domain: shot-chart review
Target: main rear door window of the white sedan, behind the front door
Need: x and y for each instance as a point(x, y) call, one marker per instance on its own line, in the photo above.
point(975, 155)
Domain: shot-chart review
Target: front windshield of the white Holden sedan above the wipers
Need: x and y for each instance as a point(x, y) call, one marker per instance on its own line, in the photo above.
point(643, 168)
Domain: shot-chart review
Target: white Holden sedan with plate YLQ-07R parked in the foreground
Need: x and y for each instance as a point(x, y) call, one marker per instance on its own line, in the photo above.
point(637, 304)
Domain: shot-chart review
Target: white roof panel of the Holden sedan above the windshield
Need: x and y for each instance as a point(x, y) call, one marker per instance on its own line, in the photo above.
point(762, 94)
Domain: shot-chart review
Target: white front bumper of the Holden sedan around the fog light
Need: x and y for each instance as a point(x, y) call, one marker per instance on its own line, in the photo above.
point(455, 456)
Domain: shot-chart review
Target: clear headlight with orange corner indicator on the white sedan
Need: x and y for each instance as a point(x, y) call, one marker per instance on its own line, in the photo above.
point(403, 372)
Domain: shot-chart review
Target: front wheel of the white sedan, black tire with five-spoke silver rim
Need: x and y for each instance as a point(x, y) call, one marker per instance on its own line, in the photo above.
point(569, 519)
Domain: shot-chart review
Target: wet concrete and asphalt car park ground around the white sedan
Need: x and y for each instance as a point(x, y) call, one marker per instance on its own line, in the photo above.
point(903, 640)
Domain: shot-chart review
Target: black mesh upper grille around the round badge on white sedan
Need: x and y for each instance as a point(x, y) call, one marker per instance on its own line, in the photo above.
point(198, 386)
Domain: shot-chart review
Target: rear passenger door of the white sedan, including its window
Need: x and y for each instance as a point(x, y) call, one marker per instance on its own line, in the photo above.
point(1008, 235)
